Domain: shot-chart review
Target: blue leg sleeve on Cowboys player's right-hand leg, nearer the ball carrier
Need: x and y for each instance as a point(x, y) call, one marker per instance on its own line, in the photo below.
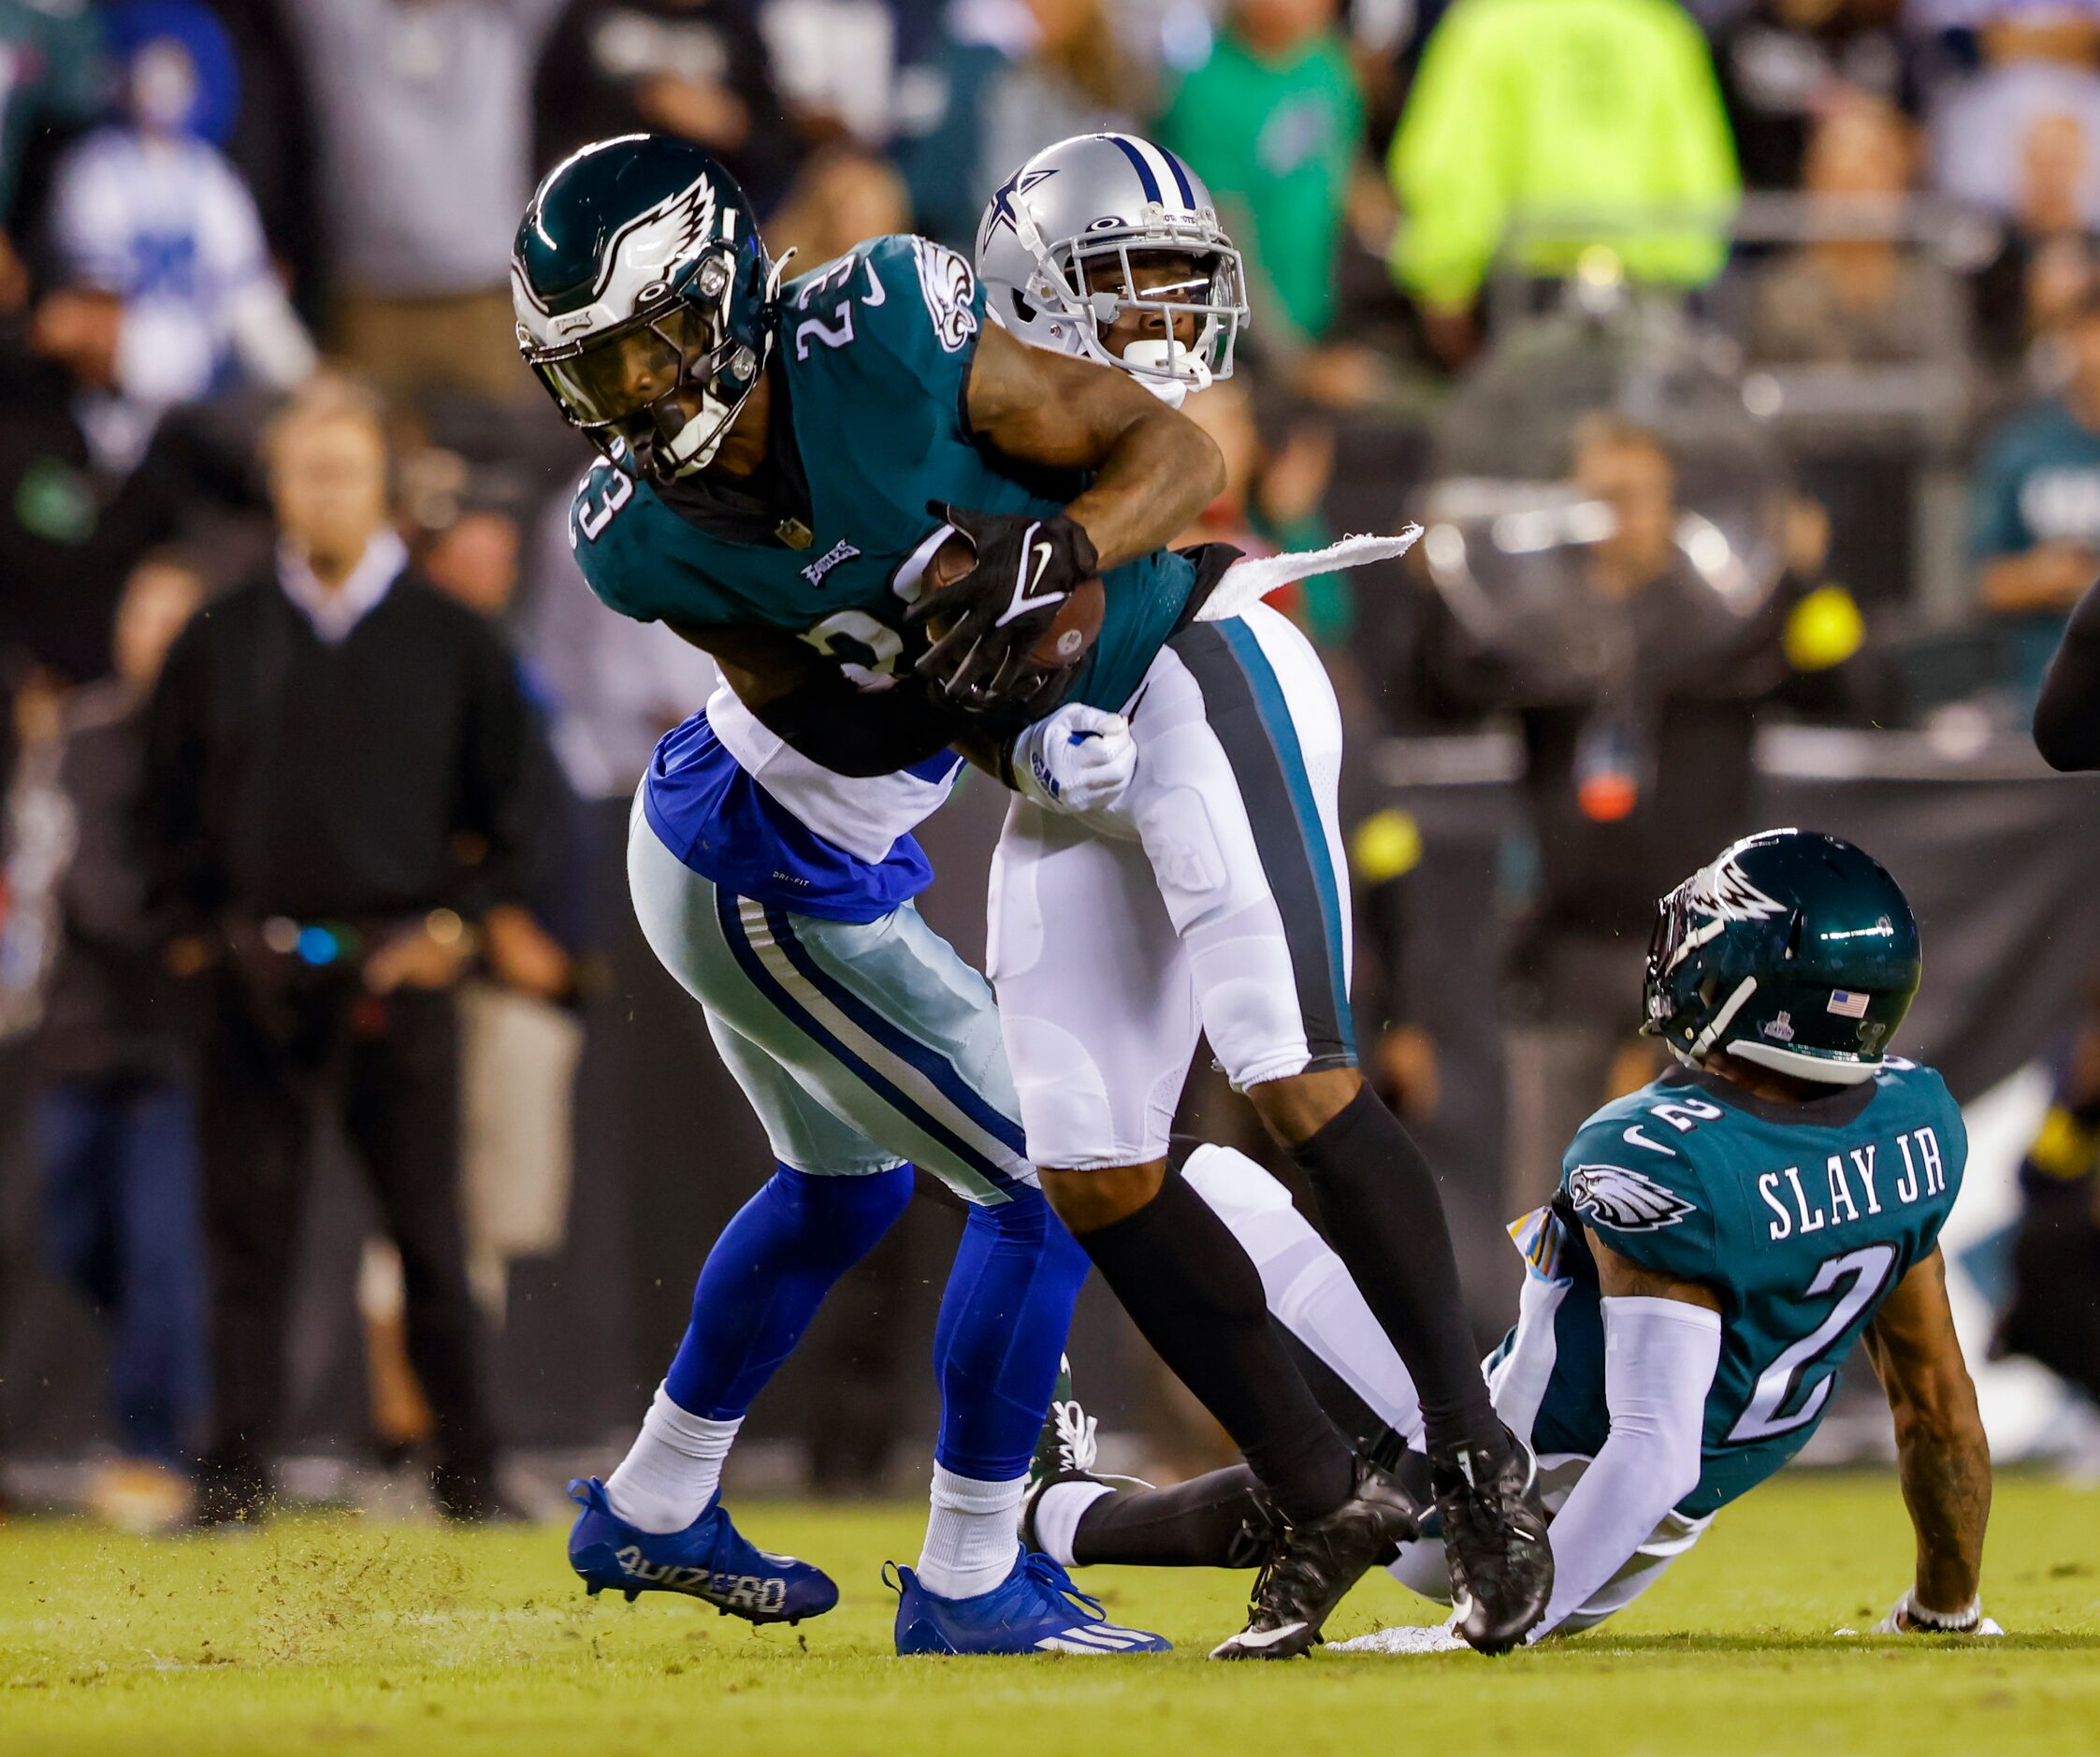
point(1001, 1334)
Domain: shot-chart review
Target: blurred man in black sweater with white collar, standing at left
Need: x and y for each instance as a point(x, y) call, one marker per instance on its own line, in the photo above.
point(337, 803)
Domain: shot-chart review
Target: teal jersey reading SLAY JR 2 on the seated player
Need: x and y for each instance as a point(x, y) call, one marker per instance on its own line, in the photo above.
point(1799, 1216)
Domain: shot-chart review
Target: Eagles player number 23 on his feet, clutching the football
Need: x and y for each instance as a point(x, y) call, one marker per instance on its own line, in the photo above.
point(786, 475)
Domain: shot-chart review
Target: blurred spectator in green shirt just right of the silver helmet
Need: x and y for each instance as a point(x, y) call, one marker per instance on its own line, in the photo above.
point(1272, 121)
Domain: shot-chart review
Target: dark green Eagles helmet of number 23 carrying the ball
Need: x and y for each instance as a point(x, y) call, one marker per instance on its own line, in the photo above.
point(646, 299)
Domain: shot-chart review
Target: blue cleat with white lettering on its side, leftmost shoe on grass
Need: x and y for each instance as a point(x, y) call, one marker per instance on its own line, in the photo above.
point(709, 1561)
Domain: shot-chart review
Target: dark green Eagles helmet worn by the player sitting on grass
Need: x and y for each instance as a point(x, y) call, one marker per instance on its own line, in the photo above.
point(1794, 952)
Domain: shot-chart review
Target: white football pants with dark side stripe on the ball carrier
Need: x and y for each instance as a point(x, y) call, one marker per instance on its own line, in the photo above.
point(1213, 899)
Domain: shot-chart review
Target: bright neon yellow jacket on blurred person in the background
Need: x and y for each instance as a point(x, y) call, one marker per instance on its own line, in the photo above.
point(1568, 114)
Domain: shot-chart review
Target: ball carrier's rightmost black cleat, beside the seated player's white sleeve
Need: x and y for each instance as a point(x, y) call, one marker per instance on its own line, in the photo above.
point(1494, 1527)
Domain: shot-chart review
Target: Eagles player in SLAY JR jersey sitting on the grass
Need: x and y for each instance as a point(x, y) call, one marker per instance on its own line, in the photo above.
point(1719, 1244)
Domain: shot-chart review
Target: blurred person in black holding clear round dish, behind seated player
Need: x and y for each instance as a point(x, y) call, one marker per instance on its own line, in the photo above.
point(1635, 778)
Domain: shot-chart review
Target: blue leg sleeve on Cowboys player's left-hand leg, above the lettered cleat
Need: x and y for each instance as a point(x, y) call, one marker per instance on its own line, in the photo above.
point(768, 1277)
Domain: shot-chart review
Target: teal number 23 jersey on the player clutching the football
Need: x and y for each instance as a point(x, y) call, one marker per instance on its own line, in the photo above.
point(875, 356)
